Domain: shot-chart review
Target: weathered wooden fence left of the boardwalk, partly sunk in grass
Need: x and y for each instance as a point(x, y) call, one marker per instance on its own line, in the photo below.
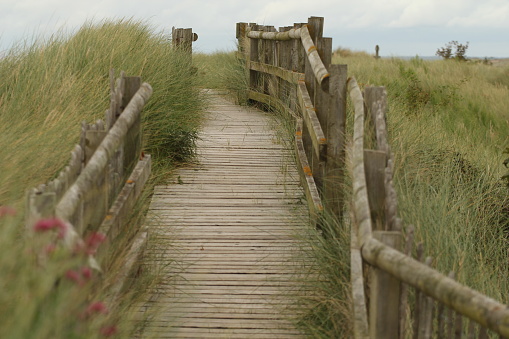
point(107, 171)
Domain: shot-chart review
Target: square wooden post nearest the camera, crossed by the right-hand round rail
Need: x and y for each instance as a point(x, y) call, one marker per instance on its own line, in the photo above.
point(385, 292)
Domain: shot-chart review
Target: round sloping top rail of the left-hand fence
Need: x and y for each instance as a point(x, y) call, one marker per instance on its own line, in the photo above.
point(70, 201)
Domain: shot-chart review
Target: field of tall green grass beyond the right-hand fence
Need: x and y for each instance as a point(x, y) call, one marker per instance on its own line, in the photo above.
point(447, 124)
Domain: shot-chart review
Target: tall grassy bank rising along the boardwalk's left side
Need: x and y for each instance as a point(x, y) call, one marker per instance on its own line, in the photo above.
point(47, 89)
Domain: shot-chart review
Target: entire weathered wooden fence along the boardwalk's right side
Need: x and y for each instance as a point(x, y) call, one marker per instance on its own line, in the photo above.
point(290, 70)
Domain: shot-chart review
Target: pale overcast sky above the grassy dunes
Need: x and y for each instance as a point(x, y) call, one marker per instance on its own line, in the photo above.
point(400, 27)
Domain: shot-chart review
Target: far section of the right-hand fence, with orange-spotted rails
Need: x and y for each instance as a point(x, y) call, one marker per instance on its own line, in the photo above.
point(291, 71)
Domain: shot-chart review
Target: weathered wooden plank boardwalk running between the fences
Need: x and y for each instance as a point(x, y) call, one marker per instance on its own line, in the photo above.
point(230, 222)
